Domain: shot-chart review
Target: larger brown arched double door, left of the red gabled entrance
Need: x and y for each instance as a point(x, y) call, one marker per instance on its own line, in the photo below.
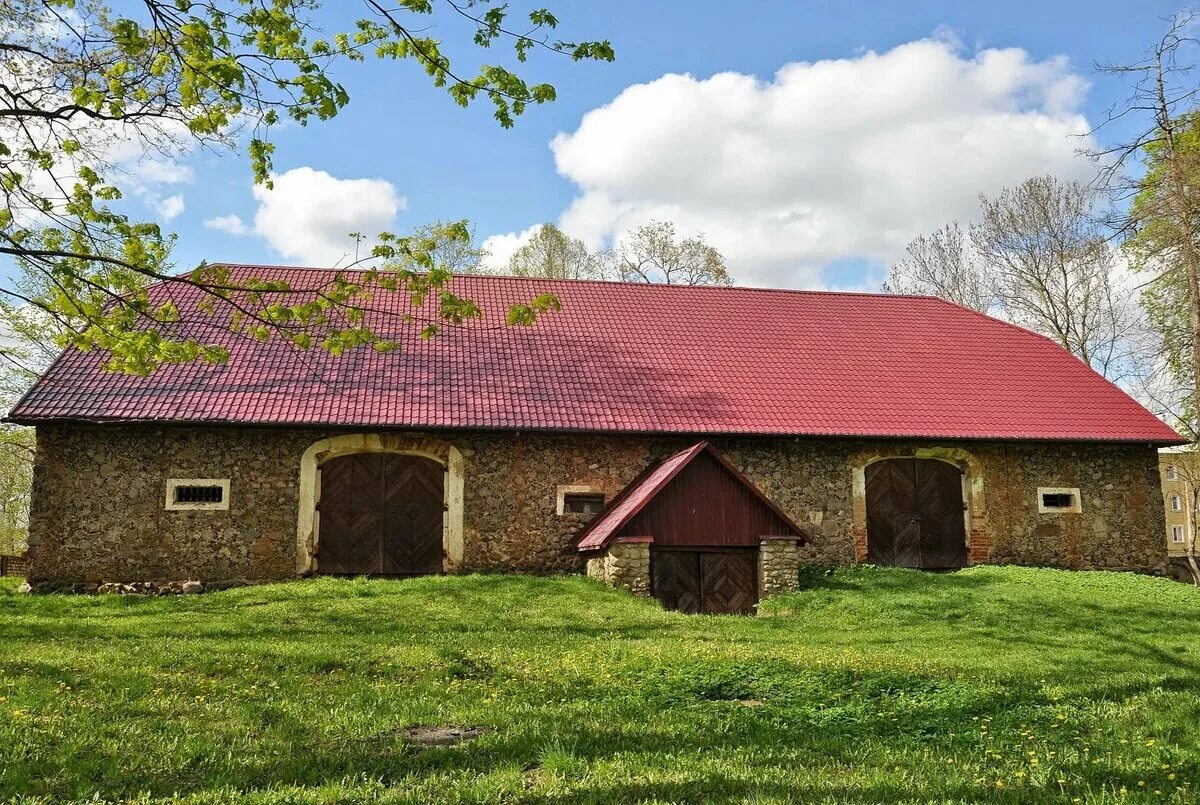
point(381, 514)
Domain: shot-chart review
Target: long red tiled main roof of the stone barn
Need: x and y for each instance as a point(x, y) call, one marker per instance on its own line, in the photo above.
point(634, 358)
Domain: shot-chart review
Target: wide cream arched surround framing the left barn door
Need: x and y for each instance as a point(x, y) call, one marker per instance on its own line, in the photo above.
point(446, 454)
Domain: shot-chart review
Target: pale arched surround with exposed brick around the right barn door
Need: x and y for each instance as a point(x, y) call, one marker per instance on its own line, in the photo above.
point(975, 513)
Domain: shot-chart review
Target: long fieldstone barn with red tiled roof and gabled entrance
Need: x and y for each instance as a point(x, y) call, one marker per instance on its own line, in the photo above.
point(691, 443)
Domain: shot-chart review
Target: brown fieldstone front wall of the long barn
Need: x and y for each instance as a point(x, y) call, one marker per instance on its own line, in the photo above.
point(98, 510)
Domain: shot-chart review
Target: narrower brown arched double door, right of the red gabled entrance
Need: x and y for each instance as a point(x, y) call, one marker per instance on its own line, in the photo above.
point(915, 514)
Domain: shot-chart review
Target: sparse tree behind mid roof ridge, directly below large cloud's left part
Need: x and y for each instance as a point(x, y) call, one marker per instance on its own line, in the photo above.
point(655, 254)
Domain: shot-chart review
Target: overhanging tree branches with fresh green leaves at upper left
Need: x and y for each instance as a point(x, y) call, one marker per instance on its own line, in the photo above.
point(164, 76)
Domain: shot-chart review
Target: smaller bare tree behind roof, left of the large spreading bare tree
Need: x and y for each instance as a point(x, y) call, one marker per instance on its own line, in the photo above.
point(945, 265)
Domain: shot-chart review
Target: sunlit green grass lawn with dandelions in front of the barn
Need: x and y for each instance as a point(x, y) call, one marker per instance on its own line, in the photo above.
point(993, 684)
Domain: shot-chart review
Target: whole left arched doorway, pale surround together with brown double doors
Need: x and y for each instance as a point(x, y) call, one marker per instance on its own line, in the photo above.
point(423, 459)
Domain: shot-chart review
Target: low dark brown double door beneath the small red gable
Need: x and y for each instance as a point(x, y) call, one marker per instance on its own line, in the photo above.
point(716, 582)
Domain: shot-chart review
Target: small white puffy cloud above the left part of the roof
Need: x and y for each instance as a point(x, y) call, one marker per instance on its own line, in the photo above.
point(309, 215)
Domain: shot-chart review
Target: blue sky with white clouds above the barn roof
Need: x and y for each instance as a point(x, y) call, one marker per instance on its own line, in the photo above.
point(842, 208)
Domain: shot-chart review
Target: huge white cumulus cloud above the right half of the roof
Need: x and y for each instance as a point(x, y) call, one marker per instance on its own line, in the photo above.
point(837, 160)
